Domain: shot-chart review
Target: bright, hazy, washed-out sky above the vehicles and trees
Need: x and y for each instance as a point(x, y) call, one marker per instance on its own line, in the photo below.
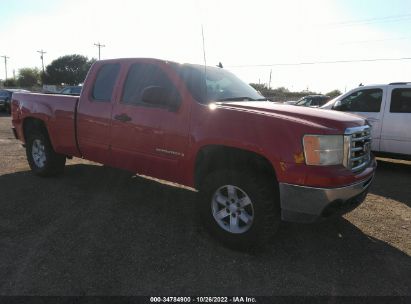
point(236, 33)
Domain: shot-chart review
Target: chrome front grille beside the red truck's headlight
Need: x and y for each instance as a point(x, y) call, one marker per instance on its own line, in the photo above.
point(357, 148)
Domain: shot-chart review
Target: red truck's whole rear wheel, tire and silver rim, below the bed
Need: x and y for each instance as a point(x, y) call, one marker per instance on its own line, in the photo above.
point(42, 158)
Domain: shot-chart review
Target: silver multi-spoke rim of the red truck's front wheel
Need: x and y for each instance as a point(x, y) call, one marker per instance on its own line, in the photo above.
point(232, 209)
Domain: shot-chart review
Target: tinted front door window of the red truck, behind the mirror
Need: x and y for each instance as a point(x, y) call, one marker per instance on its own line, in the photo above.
point(141, 76)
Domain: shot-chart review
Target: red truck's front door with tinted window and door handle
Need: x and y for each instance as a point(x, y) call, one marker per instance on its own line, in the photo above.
point(149, 139)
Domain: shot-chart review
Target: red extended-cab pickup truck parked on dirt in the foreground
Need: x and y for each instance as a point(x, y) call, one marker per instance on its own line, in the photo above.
point(254, 162)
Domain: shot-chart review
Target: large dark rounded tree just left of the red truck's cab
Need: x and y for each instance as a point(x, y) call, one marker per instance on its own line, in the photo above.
point(69, 69)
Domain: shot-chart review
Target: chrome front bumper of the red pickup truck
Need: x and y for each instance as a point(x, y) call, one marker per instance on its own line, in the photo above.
point(309, 204)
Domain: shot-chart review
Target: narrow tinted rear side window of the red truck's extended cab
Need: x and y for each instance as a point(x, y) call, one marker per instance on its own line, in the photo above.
point(104, 83)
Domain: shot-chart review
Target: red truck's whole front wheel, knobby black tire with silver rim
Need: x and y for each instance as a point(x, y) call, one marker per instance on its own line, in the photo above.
point(241, 209)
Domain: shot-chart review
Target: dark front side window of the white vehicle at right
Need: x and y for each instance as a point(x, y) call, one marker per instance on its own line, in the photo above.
point(368, 100)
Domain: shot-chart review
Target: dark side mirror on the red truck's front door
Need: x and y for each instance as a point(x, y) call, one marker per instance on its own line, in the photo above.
point(159, 96)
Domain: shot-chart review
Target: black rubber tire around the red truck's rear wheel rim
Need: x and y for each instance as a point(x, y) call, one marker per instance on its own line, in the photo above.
point(53, 163)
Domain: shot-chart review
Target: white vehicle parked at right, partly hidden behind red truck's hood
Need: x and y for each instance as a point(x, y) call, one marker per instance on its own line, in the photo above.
point(388, 110)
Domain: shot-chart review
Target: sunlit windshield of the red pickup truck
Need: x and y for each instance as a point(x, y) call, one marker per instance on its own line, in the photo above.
point(216, 85)
